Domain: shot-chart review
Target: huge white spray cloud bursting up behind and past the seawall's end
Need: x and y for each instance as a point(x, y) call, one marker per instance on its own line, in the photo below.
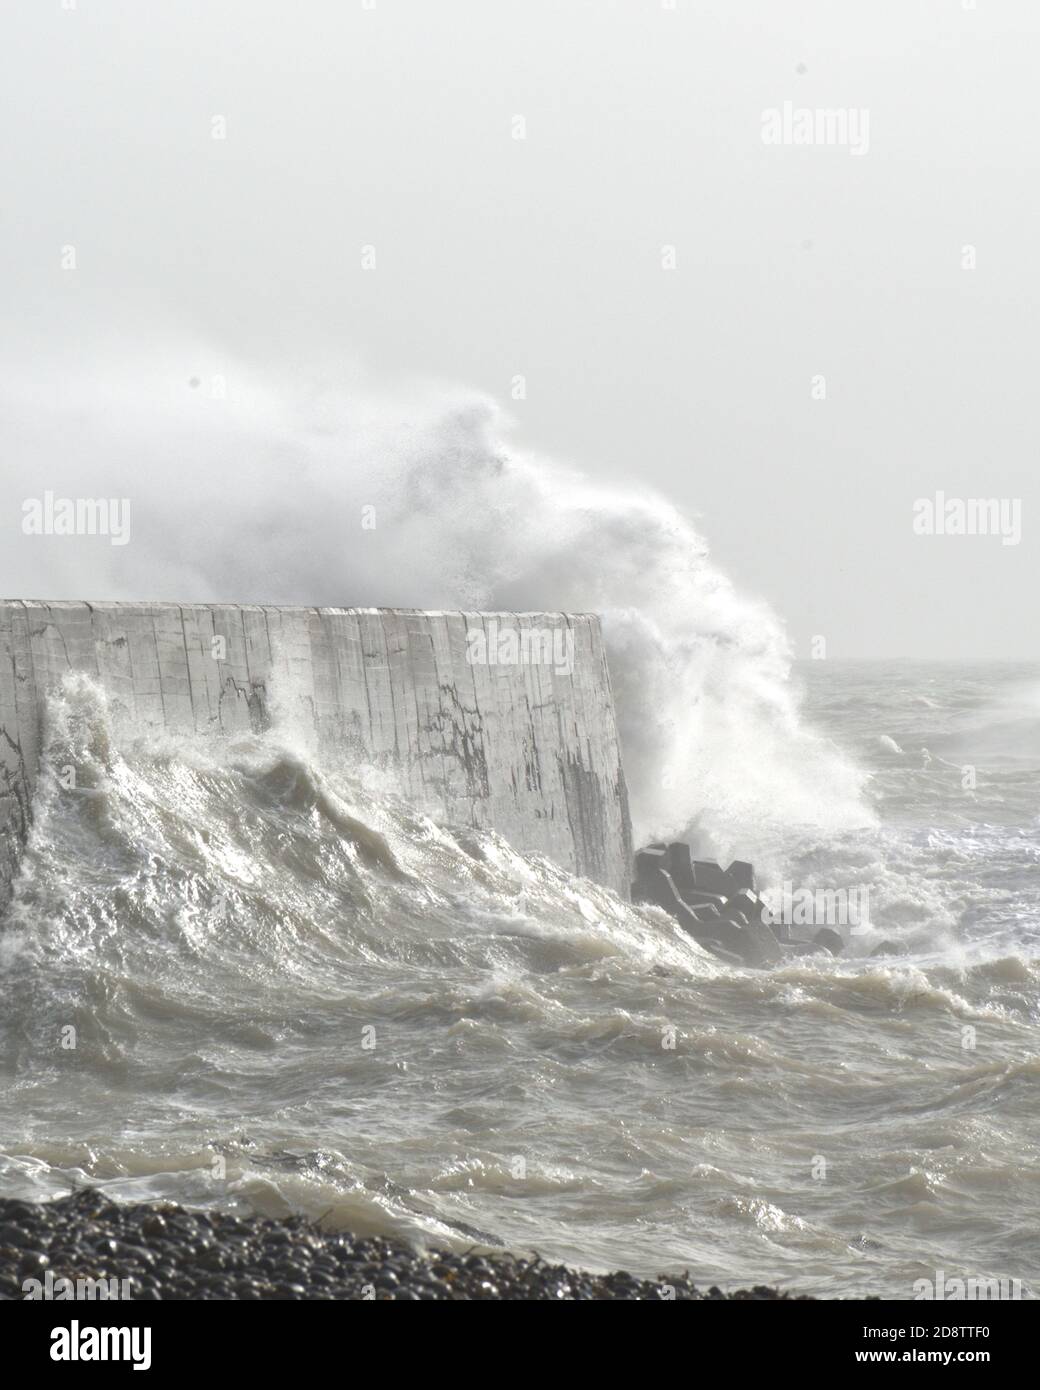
point(270, 496)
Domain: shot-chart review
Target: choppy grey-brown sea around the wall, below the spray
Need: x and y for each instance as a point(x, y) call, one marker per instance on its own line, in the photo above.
point(290, 990)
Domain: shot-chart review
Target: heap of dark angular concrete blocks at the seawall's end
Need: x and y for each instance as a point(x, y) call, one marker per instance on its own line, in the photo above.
point(721, 908)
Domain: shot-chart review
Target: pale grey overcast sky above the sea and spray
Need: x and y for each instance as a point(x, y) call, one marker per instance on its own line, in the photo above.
point(394, 126)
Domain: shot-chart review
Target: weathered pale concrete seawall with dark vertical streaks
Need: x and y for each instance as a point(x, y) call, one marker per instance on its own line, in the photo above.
point(528, 749)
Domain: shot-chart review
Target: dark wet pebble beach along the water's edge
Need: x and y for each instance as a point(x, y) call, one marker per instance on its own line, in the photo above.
point(165, 1252)
